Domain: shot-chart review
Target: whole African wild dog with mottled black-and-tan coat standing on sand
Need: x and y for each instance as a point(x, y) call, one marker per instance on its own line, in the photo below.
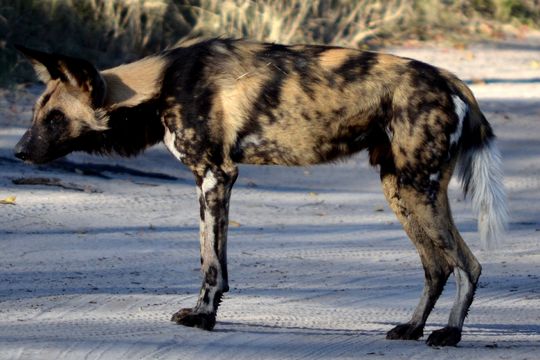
point(220, 102)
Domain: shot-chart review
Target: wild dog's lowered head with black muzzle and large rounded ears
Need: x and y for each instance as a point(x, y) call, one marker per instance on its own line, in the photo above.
point(66, 110)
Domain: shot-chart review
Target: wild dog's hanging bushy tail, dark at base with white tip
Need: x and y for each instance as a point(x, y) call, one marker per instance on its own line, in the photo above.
point(479, 170)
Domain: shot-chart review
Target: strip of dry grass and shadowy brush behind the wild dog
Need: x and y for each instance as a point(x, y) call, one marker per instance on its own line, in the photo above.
point(109, 32)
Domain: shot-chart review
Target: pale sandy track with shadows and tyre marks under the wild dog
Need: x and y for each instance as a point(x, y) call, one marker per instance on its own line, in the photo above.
point(319, 266)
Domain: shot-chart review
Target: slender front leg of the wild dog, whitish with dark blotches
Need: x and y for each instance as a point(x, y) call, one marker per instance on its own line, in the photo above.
point(214, 189)
